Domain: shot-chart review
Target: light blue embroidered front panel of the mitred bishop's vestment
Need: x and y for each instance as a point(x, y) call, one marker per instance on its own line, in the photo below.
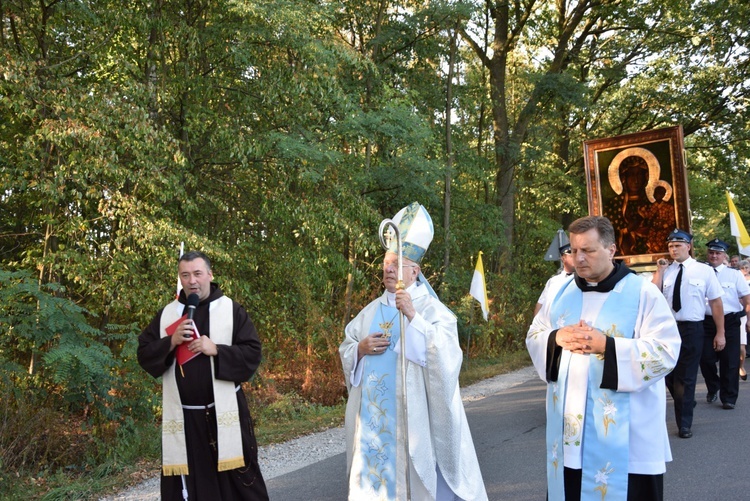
point(378, 418)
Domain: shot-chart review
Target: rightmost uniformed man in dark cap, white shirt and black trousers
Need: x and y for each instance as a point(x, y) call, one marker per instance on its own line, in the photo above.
point(735, 300)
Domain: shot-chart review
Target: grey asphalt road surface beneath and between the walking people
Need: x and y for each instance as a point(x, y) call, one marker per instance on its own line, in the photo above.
point(508, 432)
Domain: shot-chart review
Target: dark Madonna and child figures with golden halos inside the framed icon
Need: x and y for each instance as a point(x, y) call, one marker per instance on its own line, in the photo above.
point(641, 207)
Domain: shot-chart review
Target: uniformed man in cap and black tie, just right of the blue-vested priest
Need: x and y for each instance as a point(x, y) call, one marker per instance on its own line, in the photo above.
point(687, 285)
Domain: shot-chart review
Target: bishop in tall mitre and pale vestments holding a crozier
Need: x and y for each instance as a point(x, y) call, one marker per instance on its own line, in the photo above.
point(442, 461)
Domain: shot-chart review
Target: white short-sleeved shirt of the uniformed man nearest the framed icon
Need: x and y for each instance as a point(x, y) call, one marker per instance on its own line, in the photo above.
point(699, 283)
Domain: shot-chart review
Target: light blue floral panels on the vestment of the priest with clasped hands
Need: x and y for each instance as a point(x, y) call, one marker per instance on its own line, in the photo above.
point(605, 438)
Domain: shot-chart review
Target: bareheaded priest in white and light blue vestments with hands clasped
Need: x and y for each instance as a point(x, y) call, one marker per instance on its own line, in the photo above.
point(603, 345)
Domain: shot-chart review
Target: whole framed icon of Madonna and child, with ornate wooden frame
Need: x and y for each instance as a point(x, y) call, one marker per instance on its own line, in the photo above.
point(639, 182)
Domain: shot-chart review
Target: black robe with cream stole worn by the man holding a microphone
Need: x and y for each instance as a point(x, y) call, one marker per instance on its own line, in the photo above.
point(208, 440)
